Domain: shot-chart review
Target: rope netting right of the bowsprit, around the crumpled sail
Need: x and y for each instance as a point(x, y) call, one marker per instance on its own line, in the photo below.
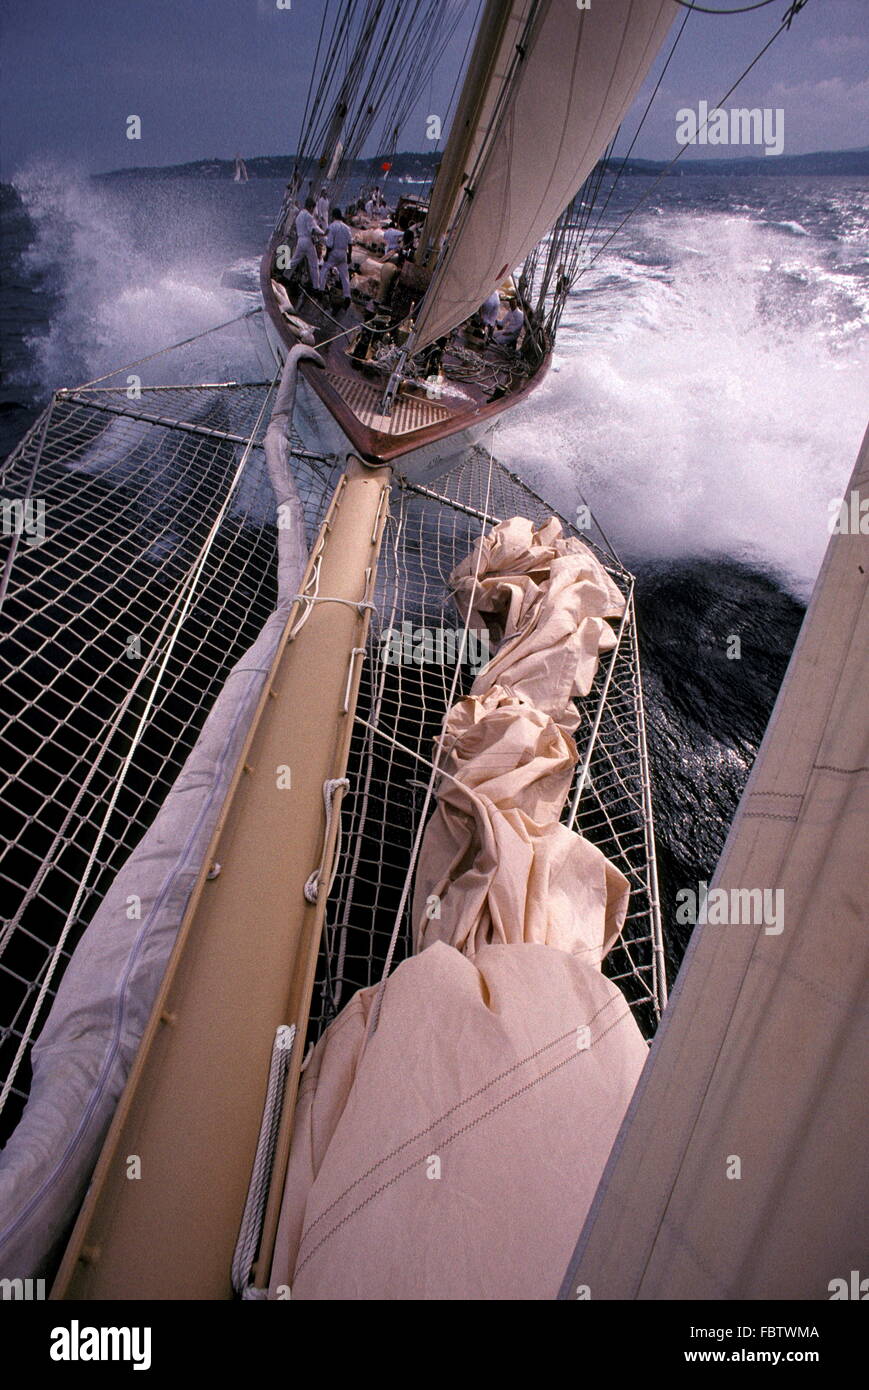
point(401, 710)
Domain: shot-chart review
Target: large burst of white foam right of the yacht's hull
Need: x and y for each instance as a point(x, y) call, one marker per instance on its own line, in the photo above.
point(718, 414)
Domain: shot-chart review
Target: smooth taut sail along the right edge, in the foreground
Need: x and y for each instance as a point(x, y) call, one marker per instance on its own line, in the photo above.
point(742, 1168)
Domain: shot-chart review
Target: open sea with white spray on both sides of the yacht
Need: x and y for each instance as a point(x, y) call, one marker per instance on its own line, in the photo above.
point(708, 400)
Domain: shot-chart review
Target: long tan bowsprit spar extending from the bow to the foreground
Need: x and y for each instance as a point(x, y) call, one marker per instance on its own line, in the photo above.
point(191, 1113)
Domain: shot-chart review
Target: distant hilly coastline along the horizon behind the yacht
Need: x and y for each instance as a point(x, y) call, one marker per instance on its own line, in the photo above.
point(411, 166)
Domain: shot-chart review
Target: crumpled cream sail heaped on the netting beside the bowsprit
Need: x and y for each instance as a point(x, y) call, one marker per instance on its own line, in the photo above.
point(444, 1129)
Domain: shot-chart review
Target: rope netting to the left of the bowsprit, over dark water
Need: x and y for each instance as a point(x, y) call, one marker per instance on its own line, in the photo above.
point(143, 565)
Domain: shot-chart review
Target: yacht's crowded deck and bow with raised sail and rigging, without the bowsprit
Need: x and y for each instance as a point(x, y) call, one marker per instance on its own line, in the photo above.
point(404, 373)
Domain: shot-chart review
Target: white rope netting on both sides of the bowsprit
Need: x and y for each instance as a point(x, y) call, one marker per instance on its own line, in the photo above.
point(109, 504)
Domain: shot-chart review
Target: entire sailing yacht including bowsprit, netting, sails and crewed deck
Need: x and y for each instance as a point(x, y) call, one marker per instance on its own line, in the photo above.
point(362, 999)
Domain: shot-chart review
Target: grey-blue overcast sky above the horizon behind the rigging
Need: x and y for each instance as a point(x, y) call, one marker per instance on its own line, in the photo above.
point(216, 77)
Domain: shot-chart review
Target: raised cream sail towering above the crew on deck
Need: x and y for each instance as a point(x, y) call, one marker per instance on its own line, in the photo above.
point(575, 79)
